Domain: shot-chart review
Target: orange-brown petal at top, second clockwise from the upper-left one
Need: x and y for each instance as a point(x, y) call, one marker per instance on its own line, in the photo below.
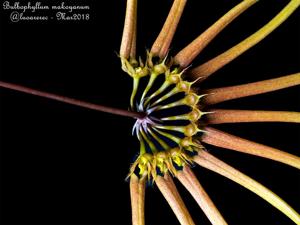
point(161, 45)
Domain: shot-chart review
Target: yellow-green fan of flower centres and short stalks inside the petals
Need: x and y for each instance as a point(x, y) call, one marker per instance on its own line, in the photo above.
point(165, 146)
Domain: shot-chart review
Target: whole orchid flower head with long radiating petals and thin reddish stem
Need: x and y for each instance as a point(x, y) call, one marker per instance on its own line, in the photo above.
point(173, 116)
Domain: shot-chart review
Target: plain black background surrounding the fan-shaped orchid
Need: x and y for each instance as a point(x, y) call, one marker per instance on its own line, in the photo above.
point(62, 164)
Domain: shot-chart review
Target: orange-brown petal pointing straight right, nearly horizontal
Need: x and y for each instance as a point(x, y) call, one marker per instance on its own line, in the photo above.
point(219, 116)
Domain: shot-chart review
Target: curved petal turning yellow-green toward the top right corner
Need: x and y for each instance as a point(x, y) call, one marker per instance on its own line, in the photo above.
point(221, 60)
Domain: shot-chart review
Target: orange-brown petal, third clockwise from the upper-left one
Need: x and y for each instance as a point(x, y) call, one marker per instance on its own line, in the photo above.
point(190, 52)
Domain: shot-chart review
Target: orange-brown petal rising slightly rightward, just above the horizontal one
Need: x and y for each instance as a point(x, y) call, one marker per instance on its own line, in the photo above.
point(217, 95)
